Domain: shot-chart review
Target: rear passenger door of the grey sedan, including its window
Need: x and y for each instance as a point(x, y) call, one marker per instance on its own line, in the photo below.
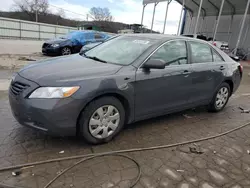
point(208, 71)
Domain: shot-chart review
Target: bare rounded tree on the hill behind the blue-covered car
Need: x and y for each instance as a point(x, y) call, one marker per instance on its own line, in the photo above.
point(100, 14)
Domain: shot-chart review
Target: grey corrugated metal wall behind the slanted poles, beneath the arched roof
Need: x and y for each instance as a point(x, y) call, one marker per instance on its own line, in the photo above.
point(207, 26)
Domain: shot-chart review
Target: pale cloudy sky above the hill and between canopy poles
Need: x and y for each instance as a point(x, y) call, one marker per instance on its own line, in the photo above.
point(126, 11)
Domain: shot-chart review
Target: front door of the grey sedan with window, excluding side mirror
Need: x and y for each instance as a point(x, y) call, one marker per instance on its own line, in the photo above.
point(158, 91)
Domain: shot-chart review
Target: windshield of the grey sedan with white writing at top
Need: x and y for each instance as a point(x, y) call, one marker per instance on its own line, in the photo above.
point(121, 50)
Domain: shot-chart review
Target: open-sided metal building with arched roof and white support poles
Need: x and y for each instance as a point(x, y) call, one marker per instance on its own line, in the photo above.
point(224, 20)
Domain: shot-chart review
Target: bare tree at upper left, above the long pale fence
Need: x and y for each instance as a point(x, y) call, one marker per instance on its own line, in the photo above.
point(32, 7)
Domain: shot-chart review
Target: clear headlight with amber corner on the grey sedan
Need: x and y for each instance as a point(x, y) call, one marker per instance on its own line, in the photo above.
point(53, 92)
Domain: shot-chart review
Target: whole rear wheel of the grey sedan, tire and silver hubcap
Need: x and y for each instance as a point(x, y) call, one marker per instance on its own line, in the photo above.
point(220, 98)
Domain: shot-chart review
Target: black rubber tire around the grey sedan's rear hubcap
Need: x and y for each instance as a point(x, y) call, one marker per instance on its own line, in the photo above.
point(212, 107)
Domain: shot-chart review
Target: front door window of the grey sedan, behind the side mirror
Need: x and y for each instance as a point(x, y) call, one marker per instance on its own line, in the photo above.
point(173, 53)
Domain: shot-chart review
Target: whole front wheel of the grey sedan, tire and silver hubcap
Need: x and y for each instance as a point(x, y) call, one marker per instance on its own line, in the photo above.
point(101, 120)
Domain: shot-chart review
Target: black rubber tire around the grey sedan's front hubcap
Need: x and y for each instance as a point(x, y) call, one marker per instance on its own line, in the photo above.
point(90, 110)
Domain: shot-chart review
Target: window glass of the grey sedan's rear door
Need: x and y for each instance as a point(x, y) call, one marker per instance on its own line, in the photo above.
point(201, 53)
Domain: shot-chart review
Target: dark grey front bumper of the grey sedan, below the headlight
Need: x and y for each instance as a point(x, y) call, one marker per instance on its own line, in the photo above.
point(54, 116)
